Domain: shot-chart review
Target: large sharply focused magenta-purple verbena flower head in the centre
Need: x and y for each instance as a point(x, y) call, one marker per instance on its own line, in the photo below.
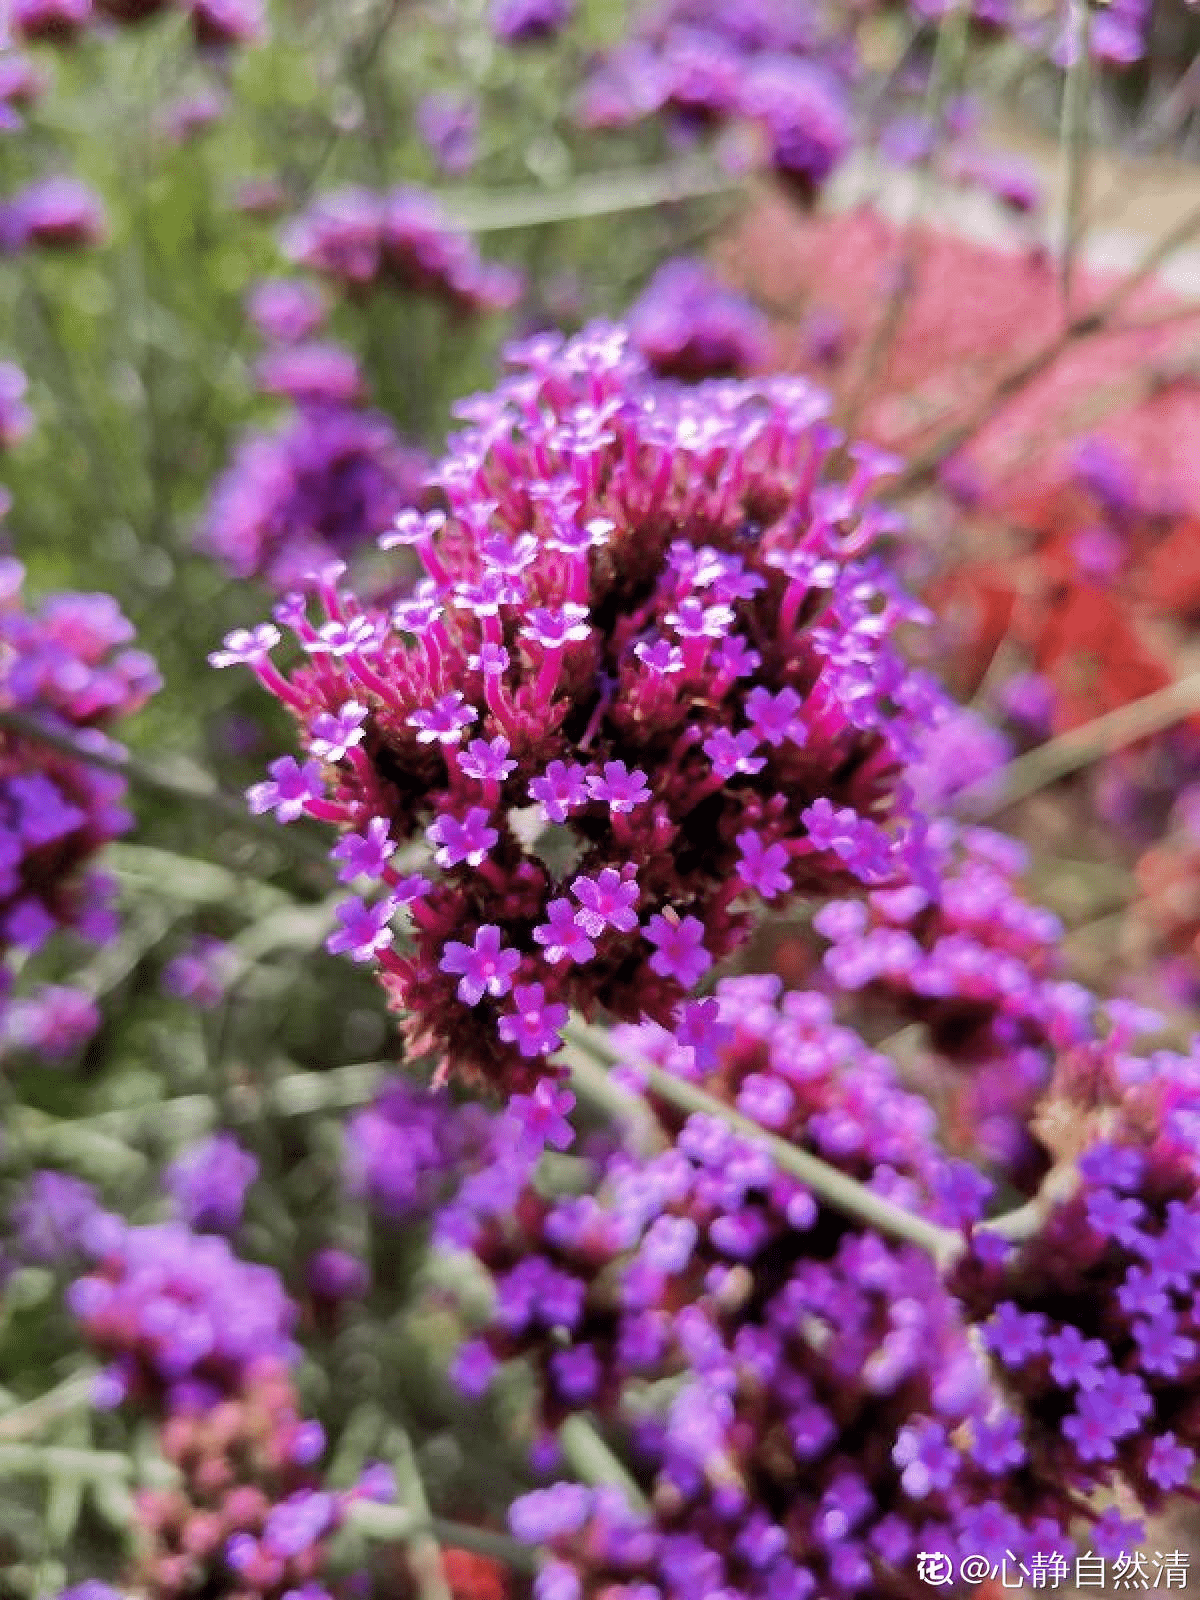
point(646, 686)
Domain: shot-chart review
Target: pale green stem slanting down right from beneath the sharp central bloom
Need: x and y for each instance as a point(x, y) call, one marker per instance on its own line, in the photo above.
point(846, 1194)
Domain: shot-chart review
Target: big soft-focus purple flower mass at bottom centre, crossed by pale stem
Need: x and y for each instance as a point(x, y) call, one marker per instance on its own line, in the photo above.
point(802, 1402)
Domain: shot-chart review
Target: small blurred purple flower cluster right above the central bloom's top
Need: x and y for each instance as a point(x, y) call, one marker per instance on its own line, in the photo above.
point(689, 326)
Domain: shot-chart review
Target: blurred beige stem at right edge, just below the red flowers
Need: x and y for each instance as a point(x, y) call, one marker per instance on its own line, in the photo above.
point(1078, 750)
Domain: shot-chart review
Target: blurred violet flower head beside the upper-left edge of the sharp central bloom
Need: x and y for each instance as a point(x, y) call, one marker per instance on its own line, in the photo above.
point(318, 489)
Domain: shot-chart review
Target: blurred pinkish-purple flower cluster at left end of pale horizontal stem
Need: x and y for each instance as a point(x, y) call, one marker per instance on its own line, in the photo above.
point(359, 239)
